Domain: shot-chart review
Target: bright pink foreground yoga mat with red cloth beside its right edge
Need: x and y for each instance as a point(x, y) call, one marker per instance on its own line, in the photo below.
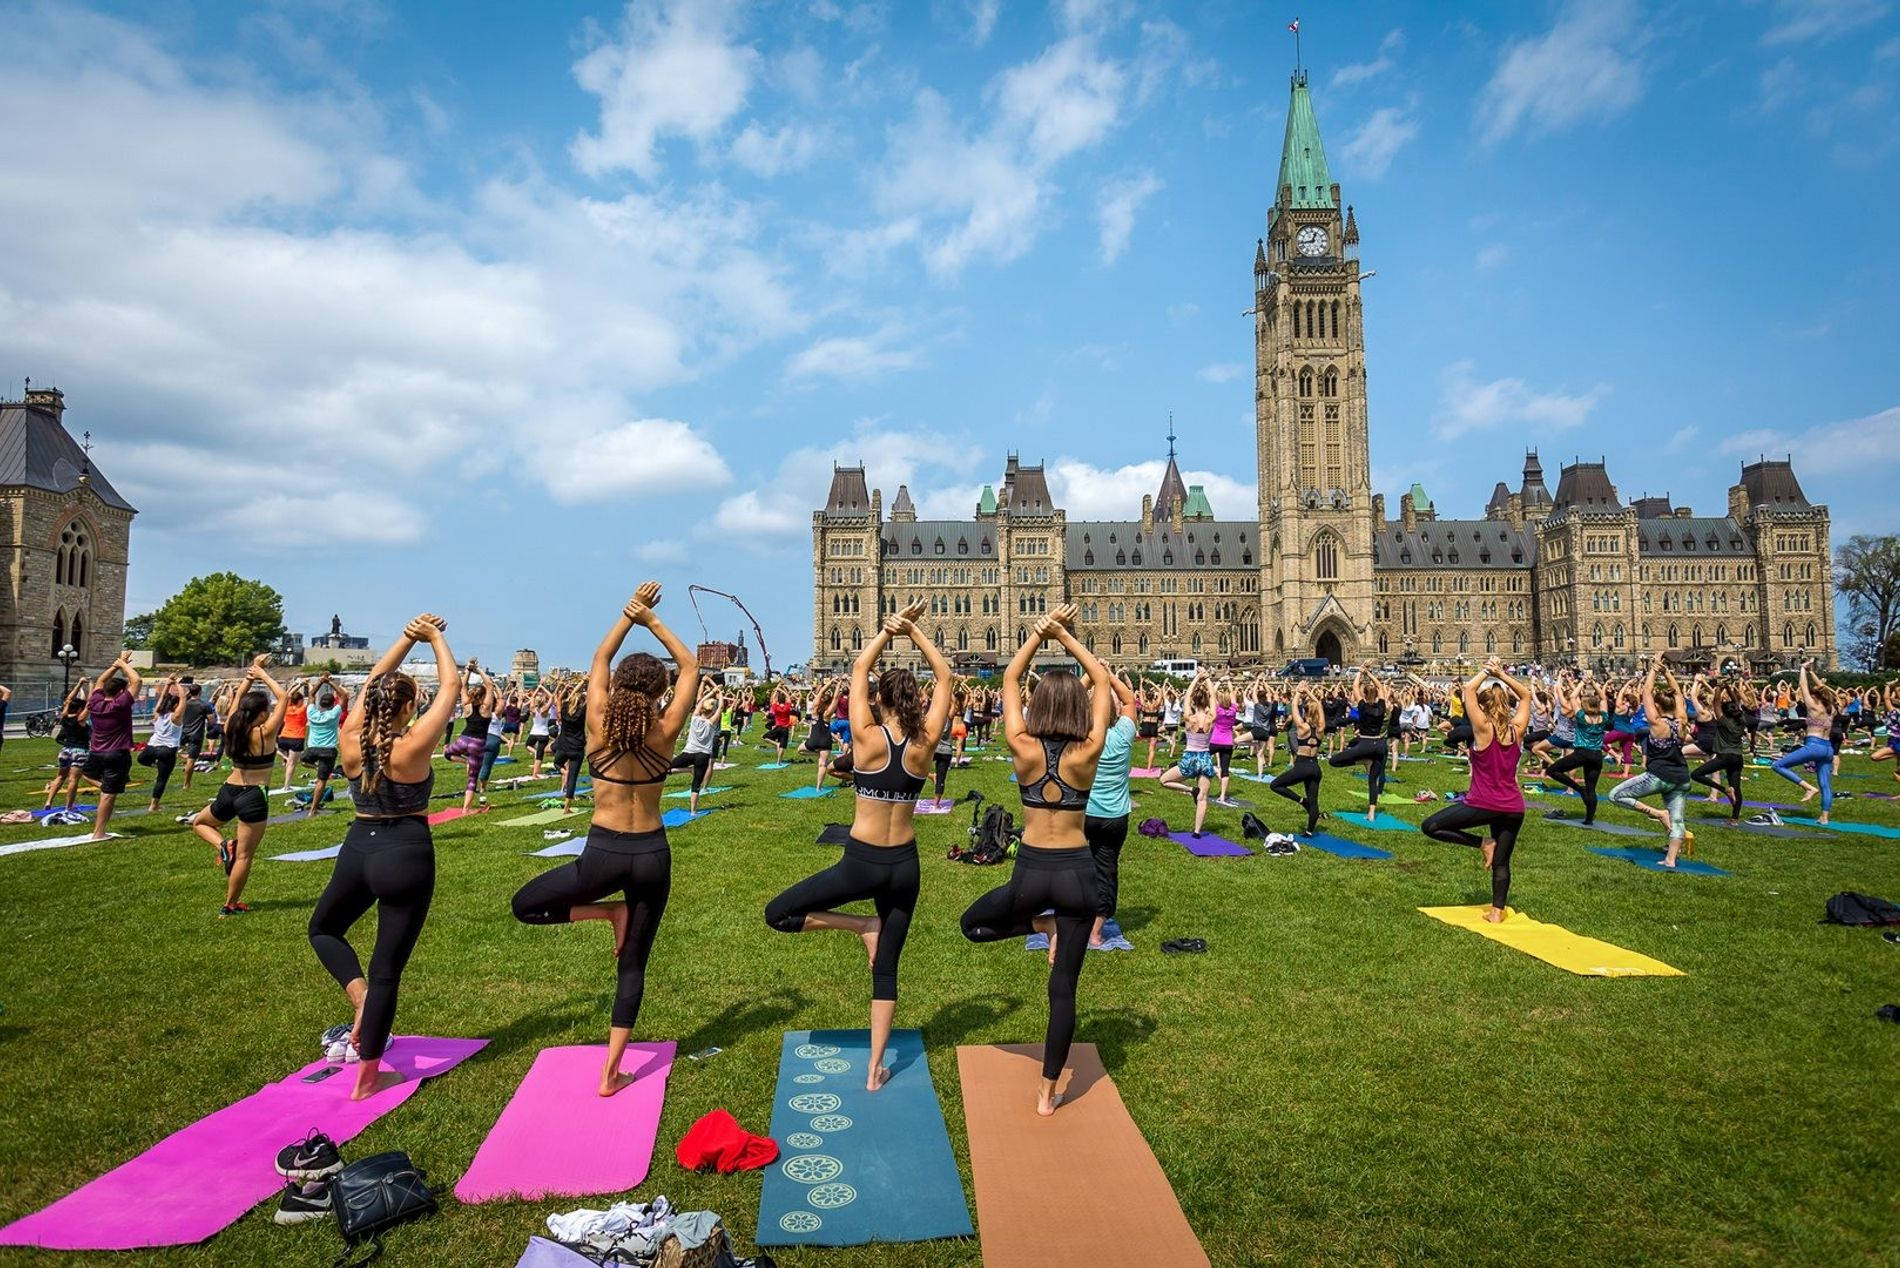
point(560, 1138)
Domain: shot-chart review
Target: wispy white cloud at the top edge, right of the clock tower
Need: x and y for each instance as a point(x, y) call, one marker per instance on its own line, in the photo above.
point(1586, 67)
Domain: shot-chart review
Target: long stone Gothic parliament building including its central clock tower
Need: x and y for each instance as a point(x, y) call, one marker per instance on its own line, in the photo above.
point(1563, 577)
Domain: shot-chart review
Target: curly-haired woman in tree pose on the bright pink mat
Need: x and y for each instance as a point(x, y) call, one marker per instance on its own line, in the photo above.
point(630, 752)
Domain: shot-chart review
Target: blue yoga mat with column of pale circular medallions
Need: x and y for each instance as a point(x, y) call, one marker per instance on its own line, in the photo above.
point(858, 1166)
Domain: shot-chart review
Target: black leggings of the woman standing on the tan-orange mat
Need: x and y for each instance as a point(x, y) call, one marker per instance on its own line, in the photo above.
point(1044, 879)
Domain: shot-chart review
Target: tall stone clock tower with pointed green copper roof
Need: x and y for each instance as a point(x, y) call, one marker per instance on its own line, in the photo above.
point(1310, 412)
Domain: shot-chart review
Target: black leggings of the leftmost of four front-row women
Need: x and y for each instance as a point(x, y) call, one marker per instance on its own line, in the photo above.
point(390, 866)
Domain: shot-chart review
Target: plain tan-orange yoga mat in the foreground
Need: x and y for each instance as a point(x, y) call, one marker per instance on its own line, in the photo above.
point(1074, 1191)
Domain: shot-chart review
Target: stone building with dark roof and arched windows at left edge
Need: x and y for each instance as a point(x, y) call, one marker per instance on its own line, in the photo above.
point(67, 535)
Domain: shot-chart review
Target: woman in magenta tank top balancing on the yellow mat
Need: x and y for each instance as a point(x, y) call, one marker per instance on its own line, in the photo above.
point(1494, 801)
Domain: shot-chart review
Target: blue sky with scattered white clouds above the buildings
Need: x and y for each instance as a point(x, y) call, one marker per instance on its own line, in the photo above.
point(499, 309)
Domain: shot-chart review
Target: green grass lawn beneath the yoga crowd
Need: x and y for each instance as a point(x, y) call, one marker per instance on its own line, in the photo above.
point(1340, 1079)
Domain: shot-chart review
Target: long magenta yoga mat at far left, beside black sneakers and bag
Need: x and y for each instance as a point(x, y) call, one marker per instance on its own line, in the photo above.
point(202, 1180)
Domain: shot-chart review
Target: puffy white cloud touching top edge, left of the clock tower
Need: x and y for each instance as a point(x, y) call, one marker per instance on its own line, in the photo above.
point(674, 71)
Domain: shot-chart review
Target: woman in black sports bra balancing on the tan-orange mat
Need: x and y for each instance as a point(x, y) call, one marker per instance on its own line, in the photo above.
point(1055, 748)
